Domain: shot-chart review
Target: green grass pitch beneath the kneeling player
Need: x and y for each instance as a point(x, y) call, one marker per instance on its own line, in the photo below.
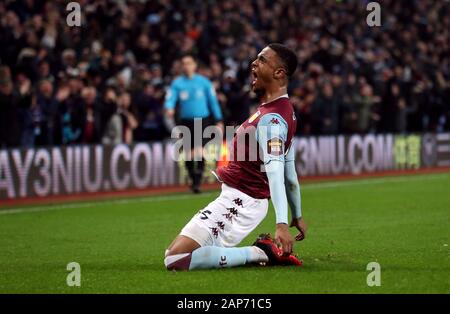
point(403, 223)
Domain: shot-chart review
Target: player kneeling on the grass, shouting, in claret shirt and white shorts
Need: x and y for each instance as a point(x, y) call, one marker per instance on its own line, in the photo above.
point(210, 239)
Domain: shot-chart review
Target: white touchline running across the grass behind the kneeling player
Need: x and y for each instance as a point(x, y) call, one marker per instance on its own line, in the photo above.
point(149, 199)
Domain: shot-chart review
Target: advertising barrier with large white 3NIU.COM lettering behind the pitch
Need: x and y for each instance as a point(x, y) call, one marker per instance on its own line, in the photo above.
point(67, 170)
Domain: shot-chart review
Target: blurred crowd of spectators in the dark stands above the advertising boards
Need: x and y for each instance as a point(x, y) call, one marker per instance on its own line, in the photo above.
point(105, 81)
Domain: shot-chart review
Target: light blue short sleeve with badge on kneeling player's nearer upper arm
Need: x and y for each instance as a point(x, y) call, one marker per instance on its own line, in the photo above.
point(271, 134)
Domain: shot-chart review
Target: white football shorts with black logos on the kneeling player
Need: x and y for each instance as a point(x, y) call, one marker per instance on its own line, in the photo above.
point(227, 220)
